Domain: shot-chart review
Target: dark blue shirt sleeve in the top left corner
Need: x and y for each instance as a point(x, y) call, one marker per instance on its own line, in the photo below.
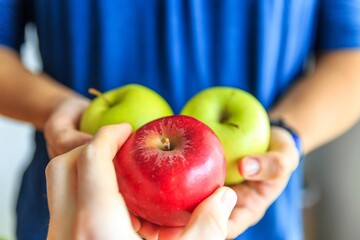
point(12, 22)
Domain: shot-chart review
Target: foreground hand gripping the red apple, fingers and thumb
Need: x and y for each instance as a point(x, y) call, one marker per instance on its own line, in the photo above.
point(84, 200)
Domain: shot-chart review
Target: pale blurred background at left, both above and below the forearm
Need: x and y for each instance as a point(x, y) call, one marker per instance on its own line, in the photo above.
point(16, 146)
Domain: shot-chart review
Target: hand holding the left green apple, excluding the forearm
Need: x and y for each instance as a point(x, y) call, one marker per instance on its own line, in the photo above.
point(61, 129)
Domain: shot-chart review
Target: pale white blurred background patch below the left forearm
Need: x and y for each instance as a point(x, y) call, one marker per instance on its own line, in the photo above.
point(15, 151)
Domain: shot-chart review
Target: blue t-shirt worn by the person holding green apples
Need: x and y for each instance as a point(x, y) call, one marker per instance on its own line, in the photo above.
point(178, 48)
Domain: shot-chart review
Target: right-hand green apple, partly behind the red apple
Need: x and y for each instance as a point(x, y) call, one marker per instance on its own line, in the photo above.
point(238, 119)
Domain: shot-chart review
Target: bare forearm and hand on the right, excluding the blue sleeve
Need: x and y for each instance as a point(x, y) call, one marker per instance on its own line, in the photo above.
point(320, 106)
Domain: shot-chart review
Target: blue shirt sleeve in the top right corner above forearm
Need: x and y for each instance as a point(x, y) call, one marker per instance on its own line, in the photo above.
point(339, 25)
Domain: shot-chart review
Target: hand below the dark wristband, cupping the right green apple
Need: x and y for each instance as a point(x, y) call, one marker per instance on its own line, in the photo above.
point(266, 177)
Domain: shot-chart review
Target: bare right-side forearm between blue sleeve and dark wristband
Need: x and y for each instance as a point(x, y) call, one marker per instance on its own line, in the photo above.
point(325, 103)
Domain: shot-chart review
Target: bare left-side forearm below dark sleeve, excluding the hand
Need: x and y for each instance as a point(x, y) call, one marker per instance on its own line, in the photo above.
point(26, 96)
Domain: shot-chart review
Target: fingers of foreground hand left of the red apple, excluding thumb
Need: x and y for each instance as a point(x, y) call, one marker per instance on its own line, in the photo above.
point(83, 196)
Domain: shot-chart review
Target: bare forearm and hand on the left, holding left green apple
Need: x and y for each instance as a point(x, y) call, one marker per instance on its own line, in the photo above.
point(41, 101)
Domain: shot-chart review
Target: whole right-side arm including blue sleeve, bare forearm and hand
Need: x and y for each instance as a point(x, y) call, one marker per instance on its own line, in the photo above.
point(320, 106)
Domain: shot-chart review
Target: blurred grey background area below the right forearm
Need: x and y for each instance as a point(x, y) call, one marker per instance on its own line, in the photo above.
point(333, 174)
